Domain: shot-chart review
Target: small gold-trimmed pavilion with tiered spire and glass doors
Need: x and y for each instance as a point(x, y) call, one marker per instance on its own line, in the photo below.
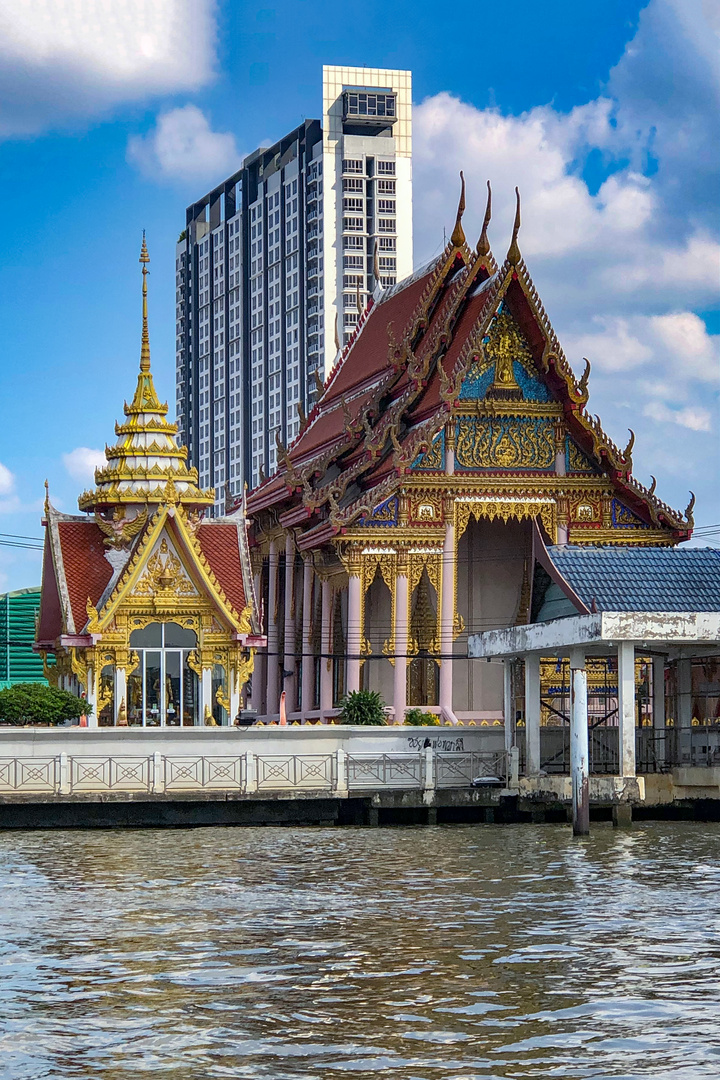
point(148, 609)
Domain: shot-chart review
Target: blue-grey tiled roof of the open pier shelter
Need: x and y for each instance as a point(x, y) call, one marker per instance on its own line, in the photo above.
point(642, 579)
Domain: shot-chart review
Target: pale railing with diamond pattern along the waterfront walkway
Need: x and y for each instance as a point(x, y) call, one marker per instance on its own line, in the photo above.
point(249, 774)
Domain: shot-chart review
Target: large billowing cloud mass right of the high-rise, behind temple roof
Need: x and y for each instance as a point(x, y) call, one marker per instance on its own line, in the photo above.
point(619, 231)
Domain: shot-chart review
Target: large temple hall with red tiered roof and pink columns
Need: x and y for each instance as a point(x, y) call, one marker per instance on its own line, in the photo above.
point(450, 444)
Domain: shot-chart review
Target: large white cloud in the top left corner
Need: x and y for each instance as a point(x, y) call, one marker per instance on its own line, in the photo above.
point(62, 60)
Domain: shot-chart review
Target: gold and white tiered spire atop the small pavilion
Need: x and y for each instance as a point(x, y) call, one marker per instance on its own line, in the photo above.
point(146, 456)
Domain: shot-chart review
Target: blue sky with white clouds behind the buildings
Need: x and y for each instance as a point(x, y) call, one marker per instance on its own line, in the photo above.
point(114, 117)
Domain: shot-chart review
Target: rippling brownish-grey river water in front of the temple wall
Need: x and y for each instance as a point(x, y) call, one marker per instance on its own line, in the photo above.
point(454, 953)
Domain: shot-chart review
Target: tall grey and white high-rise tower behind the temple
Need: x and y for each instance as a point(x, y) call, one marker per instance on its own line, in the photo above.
point(275, 265)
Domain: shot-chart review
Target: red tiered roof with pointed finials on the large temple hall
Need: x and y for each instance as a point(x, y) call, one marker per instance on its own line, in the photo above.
point(398, 384)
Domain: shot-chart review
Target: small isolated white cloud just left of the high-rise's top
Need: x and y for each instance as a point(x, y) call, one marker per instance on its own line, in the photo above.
point(184, 147)
